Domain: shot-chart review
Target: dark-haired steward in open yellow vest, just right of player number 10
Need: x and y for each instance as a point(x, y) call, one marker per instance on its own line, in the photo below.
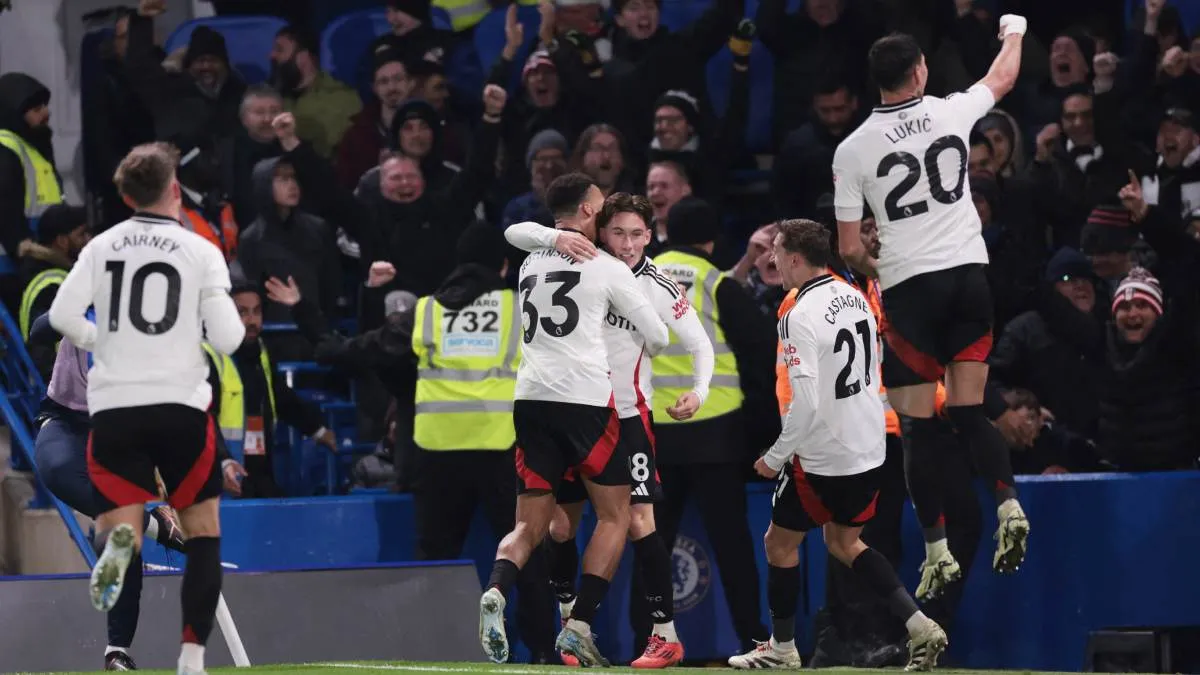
point(249, 399)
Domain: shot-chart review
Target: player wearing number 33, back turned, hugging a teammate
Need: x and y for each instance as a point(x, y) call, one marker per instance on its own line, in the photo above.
point(566, 417)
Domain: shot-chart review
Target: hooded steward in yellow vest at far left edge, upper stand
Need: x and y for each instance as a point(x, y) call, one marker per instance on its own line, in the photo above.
point(29, 182)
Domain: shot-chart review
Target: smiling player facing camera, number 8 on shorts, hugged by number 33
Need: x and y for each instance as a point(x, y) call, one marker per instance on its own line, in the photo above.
point(625, 230)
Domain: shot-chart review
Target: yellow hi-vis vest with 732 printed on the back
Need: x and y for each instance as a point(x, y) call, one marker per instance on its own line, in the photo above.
point(466, 374)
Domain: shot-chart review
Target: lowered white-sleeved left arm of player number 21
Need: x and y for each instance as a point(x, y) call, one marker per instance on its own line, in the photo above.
point(802, 357)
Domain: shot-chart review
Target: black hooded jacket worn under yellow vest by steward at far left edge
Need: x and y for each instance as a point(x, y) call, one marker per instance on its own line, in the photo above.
point(19, 94)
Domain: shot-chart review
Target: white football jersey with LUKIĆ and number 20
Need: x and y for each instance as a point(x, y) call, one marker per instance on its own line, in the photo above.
point(910, 164)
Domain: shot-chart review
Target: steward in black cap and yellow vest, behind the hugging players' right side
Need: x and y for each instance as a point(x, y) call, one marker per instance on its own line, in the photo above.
point(709, 458)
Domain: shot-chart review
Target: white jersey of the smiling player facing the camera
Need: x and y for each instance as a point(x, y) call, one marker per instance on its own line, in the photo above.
point(632, 375)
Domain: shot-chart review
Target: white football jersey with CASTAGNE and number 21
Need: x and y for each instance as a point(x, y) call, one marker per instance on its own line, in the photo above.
point(831, 347)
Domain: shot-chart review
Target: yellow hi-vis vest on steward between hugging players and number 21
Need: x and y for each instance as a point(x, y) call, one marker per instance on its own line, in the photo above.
point(673, 369)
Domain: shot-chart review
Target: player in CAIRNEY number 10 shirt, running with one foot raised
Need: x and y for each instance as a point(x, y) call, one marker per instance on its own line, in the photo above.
point(159, 290)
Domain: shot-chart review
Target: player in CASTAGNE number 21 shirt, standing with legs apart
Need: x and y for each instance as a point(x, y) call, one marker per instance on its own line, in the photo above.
point(833, 439)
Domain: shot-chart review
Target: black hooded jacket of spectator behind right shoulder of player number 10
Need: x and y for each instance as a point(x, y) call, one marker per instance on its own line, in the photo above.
point(302, 247)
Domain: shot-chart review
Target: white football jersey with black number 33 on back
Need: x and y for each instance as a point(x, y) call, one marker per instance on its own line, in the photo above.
point(565, 306)
